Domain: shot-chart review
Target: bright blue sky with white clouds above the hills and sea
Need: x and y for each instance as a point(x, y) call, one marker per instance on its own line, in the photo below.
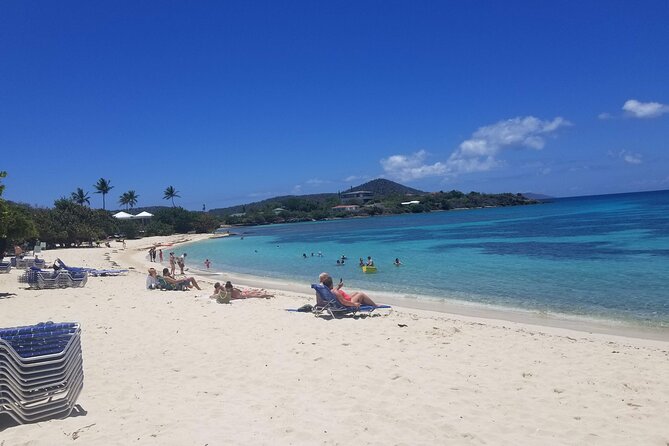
point(237, 101)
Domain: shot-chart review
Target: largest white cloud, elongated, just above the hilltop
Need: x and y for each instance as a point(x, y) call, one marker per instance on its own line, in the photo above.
point(478, 153)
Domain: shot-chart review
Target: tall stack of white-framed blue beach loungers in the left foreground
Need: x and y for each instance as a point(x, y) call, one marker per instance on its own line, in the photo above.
point(41, 371)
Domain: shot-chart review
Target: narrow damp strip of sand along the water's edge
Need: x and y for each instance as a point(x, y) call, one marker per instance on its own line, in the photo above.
point(455, 308)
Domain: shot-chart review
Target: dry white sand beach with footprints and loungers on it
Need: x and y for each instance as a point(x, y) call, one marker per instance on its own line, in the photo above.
point(175, 368)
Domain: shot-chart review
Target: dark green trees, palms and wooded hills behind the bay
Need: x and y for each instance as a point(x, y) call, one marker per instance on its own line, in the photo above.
point(71, 222)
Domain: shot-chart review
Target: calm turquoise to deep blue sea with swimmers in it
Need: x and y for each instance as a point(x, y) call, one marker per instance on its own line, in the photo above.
point(602, 257)
